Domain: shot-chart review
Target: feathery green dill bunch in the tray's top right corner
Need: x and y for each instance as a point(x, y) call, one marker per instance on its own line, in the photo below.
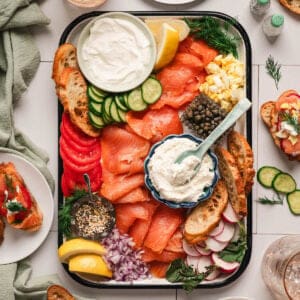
point(215, 34)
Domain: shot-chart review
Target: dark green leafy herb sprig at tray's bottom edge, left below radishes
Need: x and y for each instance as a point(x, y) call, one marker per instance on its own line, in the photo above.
point(179, 271)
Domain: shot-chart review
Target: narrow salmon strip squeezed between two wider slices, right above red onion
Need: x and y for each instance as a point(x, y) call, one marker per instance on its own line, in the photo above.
point(139, 229)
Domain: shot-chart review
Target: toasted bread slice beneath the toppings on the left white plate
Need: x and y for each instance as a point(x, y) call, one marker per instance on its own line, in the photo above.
point(34, 218)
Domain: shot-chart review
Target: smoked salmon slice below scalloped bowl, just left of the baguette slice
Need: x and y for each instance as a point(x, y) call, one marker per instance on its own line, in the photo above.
point(164, 223)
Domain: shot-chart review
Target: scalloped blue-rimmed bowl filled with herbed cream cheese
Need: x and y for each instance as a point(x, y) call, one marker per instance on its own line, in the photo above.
point(203, 185)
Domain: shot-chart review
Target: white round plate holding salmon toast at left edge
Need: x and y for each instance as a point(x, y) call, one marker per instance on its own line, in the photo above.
point(20, 239)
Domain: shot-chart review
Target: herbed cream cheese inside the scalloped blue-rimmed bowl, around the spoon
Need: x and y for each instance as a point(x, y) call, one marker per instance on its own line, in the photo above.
point(171, 180)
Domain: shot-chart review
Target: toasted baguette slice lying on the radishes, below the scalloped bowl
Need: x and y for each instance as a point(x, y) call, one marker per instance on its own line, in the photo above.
point(206, 216)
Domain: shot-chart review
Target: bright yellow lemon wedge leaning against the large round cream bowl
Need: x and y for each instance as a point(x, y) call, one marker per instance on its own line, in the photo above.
point(167, 46)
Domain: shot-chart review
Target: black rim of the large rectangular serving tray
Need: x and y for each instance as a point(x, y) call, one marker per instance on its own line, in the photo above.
point(76, 25)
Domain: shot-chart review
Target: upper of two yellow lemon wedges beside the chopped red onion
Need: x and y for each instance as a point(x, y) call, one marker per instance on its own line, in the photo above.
point(79, 246)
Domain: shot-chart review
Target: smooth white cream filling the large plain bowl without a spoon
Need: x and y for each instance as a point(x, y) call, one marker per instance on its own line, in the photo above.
point(116, 52)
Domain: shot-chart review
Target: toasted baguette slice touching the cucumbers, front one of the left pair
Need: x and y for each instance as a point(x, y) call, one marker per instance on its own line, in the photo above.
point(73, 96)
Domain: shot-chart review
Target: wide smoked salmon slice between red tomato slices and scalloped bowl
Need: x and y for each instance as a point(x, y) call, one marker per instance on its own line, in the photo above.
point(123, 151)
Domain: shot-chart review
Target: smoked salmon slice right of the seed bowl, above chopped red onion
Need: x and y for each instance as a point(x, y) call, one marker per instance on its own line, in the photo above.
point(126, 214)
